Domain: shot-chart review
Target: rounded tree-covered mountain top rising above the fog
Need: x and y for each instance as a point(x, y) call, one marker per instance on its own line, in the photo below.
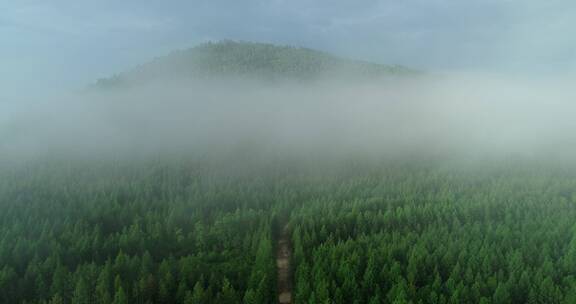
point(249, 61)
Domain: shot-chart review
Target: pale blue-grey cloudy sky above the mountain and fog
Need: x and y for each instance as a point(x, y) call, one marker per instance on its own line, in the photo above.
point(53, 45)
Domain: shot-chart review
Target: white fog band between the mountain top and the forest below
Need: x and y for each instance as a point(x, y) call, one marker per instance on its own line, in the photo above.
point(441, 115)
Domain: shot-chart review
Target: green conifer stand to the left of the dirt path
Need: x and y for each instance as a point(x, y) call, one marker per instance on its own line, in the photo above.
point(139, 233)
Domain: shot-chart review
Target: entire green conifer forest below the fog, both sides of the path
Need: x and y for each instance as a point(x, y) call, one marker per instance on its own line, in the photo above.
point(156, 231)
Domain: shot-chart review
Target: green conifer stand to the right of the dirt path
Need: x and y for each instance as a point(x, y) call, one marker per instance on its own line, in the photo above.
point(412, 234)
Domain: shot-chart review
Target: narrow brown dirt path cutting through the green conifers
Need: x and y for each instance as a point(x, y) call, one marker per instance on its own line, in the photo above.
point(283, 258)
